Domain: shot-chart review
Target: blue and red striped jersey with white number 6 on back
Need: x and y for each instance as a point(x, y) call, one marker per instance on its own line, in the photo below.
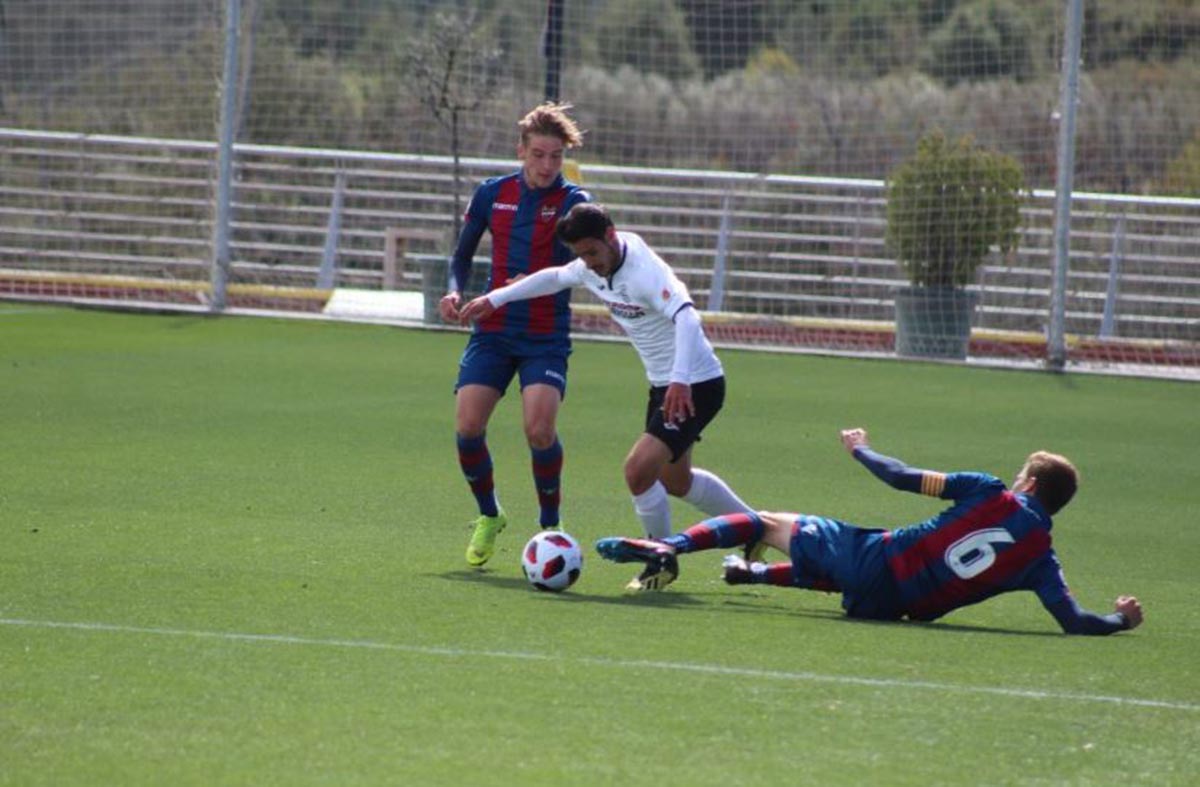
point(991, 542)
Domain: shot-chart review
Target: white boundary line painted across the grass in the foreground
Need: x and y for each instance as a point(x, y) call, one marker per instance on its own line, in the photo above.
point(625, 664)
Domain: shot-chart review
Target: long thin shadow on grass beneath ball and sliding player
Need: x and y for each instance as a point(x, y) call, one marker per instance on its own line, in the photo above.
point(722, 602)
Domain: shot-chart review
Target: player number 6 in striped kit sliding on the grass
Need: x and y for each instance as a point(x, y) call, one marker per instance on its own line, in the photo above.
point(993, 540)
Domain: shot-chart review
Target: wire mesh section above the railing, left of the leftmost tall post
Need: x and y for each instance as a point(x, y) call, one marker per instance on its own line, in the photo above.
point(148, 69)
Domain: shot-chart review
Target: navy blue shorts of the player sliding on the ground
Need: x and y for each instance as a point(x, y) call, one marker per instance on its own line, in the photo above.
point(829, 555)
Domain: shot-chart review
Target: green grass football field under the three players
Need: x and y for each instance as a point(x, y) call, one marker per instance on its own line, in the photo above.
point(231, 552)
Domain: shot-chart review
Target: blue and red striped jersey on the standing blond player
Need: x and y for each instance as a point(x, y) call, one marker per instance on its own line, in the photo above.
point(523, 223)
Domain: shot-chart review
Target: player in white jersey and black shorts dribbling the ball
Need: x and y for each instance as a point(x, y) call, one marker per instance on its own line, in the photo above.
point(687, 380)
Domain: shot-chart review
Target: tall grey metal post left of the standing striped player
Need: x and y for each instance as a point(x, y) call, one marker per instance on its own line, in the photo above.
point(220, 274)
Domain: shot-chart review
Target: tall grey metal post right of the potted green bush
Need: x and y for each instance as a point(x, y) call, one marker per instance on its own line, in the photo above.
point(1057, 343)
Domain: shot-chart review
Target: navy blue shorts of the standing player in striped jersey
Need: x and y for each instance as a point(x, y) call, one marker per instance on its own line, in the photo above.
point(493, 362)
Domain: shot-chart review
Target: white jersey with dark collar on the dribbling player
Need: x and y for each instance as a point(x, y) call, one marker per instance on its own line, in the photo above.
point(644, 298)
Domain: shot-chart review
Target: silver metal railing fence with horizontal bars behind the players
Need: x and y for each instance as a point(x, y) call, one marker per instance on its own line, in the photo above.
point(778, 261)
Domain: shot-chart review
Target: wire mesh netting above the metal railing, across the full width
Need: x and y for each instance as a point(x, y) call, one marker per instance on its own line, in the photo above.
point(839, 88)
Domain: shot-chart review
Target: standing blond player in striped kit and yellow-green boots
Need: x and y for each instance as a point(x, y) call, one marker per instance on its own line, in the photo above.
point(531, 341)
